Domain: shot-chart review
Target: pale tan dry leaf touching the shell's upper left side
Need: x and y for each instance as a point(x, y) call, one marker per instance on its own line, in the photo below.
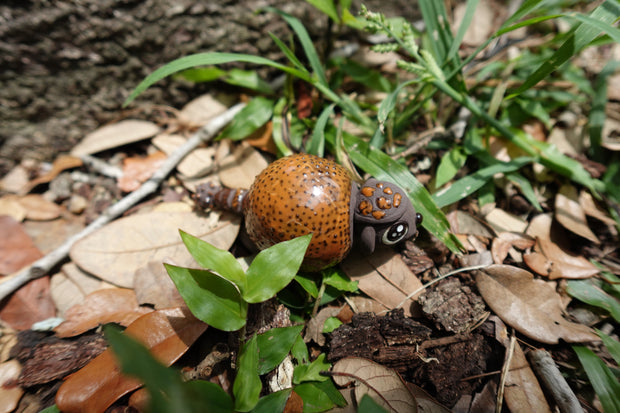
point(240, 168)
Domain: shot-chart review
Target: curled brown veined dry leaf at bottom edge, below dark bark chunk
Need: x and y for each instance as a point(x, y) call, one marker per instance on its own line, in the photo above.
point(385, 386)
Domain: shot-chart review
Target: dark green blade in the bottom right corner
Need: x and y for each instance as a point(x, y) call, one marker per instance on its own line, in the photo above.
point(603, 381)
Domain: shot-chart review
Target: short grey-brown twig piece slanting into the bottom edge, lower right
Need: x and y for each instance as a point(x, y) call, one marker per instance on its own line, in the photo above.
point(551, 378)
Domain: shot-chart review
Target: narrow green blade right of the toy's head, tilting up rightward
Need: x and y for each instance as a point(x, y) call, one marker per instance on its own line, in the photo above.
point(471, 183)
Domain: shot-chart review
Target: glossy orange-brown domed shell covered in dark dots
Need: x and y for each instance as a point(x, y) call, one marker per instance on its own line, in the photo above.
point(298, 195)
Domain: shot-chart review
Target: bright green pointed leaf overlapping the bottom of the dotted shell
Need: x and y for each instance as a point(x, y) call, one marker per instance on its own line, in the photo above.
point(274, 268)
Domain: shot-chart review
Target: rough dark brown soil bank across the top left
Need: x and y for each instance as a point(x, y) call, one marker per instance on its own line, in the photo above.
point(66, 66)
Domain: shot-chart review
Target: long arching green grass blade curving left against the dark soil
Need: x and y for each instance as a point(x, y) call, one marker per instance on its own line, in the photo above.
point(207, 59)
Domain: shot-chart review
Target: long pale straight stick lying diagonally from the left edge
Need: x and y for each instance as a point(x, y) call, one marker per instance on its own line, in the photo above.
point(45, 264)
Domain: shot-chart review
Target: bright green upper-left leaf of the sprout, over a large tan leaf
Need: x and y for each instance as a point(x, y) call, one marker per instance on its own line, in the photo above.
point(215, 259)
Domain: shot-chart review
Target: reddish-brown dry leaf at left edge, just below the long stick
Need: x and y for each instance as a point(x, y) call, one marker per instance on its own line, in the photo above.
point(30, 304)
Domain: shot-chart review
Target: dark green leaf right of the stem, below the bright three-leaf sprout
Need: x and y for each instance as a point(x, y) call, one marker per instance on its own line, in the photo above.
point(274, 345)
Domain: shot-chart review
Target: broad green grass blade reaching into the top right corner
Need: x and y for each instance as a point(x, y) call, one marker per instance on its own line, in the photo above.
point(582, 36)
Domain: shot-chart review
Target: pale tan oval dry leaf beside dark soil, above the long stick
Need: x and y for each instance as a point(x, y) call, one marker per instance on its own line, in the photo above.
point(115, 135)
